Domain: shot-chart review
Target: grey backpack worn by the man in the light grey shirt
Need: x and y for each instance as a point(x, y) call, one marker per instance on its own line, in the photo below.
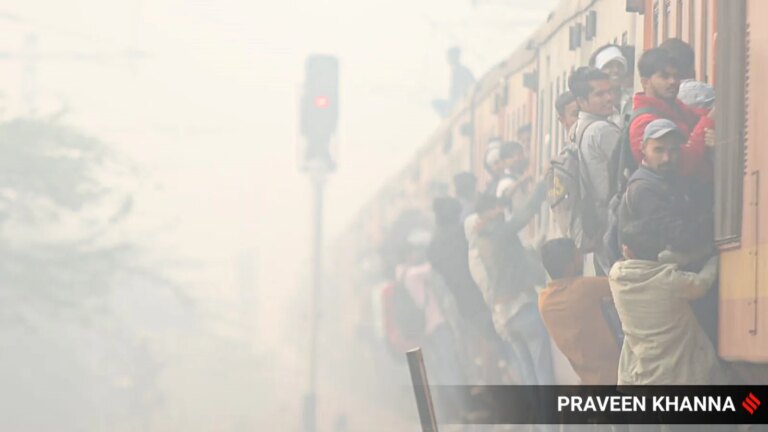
point(569, 194)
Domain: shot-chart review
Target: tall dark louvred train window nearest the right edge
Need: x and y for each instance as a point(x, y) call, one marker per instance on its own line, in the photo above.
point(731, 80)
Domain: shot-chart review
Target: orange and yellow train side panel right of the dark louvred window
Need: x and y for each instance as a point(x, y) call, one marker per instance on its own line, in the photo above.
point(744, 274)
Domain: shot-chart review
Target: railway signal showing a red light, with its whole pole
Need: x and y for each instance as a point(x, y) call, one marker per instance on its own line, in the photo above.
point(319, 116)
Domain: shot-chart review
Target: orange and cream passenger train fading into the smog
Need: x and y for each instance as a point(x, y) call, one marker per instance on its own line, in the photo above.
point(515, 101)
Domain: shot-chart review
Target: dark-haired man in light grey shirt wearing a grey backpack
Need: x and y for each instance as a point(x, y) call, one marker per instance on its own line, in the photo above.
point(595, 135)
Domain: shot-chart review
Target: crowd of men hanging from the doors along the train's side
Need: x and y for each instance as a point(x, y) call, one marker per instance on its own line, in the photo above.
point(631, 194)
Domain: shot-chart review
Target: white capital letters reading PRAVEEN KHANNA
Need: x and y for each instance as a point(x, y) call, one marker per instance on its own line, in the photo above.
point(638, 403)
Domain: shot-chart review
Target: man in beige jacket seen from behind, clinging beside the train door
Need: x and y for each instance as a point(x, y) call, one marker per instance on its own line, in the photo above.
point(664, 343)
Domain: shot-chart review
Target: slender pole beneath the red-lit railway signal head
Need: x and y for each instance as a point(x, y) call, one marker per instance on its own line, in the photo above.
point(317, 176)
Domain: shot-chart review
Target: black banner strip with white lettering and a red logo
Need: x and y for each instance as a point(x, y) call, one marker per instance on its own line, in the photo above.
point(601, 404)
